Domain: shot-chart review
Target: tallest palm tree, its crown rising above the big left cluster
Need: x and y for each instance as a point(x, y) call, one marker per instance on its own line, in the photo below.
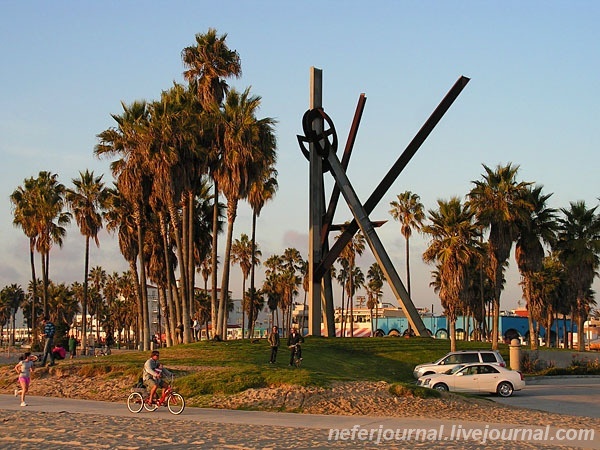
point(208, 64)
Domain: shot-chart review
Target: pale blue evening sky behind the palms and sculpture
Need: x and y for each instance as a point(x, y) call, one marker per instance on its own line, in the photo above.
point(532, 101)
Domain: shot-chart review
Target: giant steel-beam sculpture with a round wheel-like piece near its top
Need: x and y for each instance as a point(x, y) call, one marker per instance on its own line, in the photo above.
point(321, 153)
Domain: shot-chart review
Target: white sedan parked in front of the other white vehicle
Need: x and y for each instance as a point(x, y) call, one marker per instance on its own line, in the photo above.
point(478, 378)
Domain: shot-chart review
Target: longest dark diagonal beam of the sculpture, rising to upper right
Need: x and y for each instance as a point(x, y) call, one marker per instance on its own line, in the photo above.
point(393, 173)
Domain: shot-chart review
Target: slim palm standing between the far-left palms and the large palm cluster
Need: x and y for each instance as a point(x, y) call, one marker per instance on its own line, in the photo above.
point(87, 201)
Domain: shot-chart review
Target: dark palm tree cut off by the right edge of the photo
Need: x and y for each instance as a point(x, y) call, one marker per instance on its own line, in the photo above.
point(578, 246)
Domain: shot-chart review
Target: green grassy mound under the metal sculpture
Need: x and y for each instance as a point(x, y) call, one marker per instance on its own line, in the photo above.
point(207, 367)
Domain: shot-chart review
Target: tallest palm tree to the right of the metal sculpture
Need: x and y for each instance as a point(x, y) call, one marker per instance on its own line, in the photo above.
point(499, 202)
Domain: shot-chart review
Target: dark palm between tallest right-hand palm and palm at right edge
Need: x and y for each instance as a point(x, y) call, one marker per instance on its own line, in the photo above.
point(534, 229)
